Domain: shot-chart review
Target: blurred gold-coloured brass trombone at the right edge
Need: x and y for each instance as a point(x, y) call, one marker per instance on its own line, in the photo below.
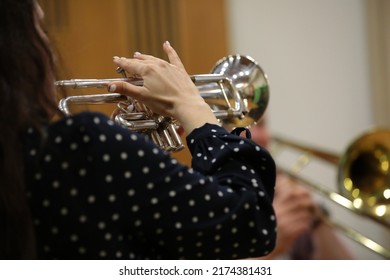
point(363, 177)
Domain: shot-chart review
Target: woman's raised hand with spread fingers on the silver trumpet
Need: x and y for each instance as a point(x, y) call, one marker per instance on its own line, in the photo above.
point(167, 88)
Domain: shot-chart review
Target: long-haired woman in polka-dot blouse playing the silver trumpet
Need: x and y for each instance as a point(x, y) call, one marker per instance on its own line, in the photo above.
point(82, 187)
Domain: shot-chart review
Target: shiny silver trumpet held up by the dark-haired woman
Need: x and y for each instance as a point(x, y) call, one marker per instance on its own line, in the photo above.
point(237, 91)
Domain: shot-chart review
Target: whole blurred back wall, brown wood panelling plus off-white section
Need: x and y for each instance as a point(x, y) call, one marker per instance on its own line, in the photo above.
point(328, 63)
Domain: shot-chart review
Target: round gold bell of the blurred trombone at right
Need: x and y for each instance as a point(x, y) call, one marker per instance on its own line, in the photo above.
point(364, 173)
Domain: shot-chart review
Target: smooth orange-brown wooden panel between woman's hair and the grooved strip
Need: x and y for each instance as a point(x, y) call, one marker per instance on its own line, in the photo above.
point(87, 34)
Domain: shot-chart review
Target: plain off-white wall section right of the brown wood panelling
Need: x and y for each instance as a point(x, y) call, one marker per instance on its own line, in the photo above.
point(315, 53)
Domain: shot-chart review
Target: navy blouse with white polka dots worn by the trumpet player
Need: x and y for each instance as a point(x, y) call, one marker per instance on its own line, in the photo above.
point(100, 191)
